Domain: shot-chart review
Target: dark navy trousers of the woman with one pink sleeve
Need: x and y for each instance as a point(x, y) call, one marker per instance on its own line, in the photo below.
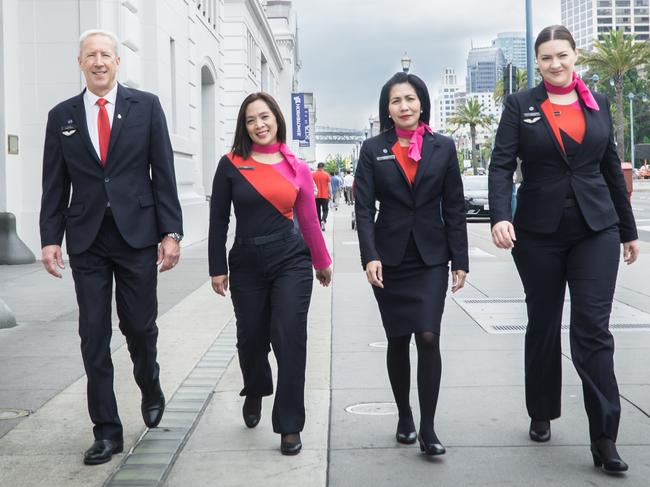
point(271, 287)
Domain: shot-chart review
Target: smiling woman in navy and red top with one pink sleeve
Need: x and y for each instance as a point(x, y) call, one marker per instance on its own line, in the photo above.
point(270, 266)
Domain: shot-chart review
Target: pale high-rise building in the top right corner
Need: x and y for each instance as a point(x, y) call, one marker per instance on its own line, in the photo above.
point(589, 19)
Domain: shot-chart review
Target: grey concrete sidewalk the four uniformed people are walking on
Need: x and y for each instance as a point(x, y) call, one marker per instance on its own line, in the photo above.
point(481, 415)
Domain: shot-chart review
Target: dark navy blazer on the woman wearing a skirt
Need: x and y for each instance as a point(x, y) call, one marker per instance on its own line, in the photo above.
point(433, 208)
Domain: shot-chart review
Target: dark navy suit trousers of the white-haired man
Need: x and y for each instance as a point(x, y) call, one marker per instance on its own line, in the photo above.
point(135, 274)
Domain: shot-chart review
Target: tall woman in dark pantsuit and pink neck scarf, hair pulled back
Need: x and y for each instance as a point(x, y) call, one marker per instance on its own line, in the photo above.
point(572, 214)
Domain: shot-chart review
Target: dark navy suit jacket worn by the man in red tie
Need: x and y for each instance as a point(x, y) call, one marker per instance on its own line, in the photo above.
point(138, 180)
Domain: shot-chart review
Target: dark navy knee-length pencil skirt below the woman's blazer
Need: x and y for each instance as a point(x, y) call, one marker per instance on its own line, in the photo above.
point(413, 297)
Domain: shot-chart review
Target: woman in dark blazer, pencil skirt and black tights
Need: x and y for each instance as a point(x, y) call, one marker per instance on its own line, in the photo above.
point(414, 175)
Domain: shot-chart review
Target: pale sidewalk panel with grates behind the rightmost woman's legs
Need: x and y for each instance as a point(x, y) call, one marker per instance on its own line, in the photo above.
point(508, 315)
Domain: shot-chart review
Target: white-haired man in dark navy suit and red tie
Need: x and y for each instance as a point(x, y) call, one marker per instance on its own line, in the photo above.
point(110, 145)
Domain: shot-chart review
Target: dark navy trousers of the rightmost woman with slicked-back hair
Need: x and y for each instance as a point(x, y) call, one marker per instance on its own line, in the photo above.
point(588, 261)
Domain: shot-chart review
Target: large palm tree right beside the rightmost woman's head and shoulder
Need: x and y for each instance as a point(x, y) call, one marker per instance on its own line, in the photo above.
point(614, 55)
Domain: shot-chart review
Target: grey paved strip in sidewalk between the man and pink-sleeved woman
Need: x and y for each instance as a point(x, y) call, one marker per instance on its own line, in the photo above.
point(152, 457)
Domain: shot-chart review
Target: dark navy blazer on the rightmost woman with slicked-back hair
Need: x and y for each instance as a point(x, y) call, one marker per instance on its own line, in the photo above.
point(595, 174)
